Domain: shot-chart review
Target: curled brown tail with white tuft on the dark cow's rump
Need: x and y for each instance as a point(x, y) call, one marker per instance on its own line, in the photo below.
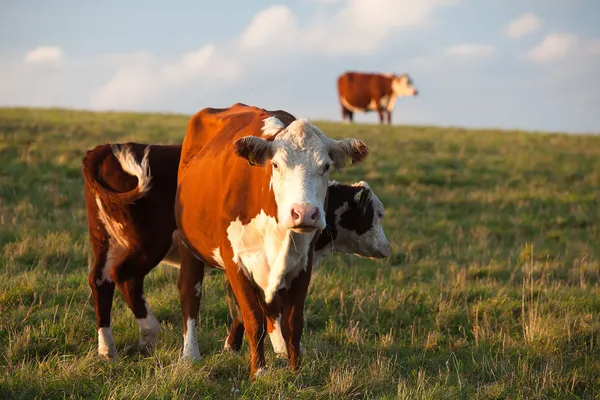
point(126, 158)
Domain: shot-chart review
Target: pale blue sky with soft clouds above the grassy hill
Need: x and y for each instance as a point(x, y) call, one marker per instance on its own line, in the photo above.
point(525, 64)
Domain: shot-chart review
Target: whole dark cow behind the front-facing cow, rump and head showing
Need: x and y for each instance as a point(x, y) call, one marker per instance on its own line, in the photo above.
point(130, 197)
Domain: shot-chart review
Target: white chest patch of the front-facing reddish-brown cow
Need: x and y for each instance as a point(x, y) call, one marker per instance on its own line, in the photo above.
point(268, 255)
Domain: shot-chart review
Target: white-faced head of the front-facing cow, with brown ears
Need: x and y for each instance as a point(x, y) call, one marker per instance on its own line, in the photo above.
point(301, 158)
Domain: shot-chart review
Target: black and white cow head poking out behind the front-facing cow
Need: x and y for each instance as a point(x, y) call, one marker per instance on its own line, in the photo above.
point(354, 223)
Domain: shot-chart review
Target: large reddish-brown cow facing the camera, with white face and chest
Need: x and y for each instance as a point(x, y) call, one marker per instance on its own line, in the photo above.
point(252, 200)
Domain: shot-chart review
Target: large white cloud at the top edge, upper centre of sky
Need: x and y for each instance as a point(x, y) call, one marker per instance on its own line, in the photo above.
point(358, 27)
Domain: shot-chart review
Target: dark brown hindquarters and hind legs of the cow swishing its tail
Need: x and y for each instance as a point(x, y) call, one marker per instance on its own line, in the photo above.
point(130, 228)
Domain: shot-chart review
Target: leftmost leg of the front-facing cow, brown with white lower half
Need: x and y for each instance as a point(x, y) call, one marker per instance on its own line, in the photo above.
point(189, 283)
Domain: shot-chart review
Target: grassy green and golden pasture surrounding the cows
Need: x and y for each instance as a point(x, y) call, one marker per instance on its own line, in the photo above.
point(492, 290)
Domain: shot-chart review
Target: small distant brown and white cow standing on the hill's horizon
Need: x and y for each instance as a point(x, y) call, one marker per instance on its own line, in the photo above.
point(364, 92)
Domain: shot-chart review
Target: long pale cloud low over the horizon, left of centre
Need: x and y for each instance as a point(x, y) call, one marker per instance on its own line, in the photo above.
point(143, 78)
